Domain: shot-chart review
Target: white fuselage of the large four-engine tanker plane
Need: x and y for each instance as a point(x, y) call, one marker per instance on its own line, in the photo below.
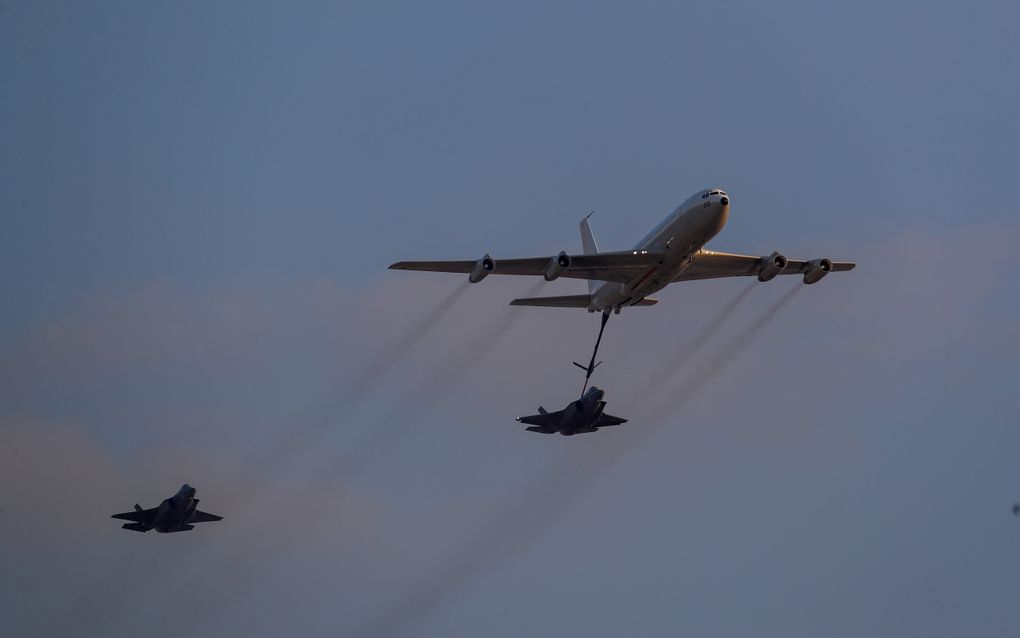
point(678, 239)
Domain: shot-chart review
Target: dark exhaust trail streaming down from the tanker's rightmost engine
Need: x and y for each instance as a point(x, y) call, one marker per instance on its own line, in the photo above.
point(509, 532)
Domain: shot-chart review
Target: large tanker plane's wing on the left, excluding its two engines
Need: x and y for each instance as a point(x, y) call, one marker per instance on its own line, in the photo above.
point(605, 267)
